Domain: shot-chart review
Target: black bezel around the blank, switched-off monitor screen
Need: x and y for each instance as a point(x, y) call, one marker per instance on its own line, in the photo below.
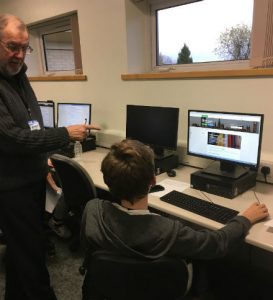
point(157, 148)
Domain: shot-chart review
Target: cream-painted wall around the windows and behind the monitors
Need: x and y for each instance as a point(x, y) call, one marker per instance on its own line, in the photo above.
point(104, 37)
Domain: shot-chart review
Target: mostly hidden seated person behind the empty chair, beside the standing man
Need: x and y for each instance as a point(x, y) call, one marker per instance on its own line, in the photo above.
point(60, 212)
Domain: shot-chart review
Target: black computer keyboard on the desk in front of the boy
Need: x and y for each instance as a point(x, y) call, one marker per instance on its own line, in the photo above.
point(201, 207)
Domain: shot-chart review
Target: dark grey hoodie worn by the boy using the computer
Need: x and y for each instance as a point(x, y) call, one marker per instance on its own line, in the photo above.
point(106, 226)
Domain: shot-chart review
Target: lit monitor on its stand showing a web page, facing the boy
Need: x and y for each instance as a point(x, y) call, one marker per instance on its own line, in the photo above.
point(232, 139)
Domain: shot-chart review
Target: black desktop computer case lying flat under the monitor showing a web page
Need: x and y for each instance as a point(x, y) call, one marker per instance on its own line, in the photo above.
point(223, 186)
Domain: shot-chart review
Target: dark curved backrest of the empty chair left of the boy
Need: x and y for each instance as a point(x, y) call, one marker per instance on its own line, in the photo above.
point(77, 185)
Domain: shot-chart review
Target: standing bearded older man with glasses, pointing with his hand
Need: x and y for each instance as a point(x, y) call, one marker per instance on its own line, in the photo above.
point(23, 167)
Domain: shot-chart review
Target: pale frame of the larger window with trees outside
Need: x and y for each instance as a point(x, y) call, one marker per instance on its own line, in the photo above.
point(205, 66)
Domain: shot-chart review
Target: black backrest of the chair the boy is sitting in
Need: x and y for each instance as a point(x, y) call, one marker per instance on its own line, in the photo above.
point(113, 277)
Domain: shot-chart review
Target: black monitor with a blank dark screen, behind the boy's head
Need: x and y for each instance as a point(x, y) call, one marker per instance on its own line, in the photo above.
point(154, 126)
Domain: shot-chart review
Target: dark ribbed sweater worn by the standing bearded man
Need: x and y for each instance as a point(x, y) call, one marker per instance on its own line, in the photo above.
point(23, 158)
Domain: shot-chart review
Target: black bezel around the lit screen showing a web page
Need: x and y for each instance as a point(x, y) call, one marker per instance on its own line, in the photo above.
point(253, 167)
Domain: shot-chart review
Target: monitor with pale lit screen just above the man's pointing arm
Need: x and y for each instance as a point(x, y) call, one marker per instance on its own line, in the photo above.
point(73, 113)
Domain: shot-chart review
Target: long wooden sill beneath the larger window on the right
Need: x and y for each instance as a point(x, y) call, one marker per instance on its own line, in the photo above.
point(201, 74)
